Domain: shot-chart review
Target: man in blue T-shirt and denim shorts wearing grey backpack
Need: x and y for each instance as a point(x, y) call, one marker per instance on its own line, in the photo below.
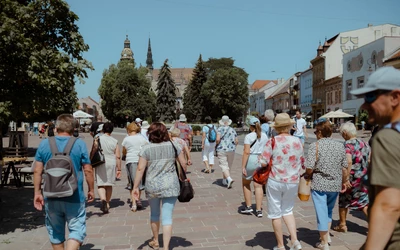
point(62, 160)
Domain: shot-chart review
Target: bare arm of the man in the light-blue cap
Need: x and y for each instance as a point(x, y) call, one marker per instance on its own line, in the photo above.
point(383, 217)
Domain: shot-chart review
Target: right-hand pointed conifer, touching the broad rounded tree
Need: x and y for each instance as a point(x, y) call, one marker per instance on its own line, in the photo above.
point(192, 100)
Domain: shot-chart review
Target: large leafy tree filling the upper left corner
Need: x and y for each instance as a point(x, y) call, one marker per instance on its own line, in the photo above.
point(41, 56)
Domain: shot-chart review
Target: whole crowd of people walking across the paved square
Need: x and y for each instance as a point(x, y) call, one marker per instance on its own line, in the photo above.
point(352, 174)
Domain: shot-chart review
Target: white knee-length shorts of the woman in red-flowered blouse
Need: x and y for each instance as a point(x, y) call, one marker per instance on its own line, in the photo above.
point(280, 198)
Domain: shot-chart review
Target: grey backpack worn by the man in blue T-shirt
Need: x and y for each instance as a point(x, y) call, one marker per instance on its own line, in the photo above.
point(59, 174)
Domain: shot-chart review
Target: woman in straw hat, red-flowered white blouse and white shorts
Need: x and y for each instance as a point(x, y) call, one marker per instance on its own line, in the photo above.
point(286, 152)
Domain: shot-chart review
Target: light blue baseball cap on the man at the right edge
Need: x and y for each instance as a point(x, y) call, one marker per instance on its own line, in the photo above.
point(385, 78)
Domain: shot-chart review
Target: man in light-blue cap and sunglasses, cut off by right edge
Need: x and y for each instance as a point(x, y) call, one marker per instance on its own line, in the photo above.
point(382, 102)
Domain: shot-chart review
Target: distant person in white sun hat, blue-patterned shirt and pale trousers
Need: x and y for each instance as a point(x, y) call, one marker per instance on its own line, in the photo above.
point(226, 145)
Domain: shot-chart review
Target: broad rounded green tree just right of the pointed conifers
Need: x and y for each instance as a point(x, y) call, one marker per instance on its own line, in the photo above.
point(226, 93)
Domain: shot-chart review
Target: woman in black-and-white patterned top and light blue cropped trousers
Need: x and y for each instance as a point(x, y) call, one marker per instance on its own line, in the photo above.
point(326, 162)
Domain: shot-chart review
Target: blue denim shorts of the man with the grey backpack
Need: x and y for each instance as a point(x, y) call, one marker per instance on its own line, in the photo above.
point(59, 213)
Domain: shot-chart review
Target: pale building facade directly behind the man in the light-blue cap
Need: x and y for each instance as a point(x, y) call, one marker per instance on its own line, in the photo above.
point(359, 64)
